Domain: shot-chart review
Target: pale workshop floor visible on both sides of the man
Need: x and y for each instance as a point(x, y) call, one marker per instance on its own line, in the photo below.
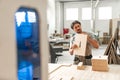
point(67, 58)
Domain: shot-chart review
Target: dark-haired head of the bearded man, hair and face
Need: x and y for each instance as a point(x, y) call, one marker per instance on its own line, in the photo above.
point(76, 26)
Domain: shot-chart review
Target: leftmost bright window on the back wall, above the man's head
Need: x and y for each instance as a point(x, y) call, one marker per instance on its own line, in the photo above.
point(72, 14)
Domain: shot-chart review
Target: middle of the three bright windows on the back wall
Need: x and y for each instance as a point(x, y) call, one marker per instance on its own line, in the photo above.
point(86, 13)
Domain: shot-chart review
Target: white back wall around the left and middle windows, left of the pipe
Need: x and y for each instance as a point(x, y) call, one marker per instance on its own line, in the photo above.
point(79, 5)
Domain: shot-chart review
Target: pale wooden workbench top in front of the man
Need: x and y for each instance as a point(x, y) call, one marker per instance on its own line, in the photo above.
point(70, 72)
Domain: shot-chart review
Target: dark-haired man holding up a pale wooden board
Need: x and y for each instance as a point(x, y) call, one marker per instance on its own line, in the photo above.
point(76, 26)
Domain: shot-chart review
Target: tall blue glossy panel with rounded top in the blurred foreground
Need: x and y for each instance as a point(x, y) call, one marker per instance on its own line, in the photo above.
point(27, 40)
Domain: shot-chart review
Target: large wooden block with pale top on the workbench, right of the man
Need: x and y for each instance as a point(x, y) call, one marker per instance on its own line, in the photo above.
point(100, 63)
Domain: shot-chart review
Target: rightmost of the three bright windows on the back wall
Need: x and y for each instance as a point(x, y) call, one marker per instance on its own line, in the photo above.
point(105, 13)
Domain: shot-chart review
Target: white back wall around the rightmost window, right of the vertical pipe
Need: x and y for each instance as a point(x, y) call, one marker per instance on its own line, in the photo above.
point(103, 25)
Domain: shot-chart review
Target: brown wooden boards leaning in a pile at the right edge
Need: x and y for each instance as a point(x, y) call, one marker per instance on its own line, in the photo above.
point(113, 46)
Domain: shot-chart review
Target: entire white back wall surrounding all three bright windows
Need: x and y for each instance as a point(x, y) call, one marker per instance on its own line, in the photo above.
point(102, 25)
